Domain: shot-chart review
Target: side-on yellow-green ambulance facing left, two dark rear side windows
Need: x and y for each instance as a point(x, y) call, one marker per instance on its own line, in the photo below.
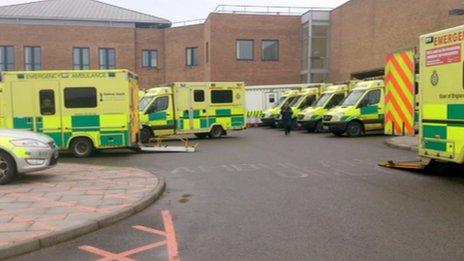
point(204, 109)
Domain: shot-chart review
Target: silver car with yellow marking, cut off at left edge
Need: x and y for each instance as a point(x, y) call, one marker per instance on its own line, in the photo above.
point(24, 151)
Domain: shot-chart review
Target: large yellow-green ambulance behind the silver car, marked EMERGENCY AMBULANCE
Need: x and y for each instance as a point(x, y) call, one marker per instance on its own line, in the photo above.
point(81, 111)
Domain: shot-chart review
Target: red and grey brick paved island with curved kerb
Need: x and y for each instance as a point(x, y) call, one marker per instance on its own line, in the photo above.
point(46, 208)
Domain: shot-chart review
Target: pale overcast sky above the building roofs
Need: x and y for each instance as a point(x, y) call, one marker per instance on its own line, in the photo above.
point(181, 10)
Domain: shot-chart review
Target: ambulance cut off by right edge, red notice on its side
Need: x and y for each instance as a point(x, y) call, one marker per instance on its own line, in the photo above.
point(442, 95)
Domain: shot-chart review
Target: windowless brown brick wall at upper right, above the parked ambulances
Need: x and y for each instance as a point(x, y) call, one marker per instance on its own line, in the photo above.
point(364, 32)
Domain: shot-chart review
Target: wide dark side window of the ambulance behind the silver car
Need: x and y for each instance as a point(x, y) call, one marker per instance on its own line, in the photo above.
point(80, 97)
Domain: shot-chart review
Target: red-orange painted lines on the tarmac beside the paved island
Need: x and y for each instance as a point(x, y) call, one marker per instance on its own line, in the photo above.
point(170, 241)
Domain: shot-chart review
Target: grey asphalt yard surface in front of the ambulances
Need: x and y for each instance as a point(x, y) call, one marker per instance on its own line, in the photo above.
point(259, 195)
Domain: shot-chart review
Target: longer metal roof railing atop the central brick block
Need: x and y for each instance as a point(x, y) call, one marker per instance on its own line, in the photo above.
point(267, 10)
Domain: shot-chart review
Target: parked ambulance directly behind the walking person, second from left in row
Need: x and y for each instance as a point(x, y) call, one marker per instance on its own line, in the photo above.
point(303, 100)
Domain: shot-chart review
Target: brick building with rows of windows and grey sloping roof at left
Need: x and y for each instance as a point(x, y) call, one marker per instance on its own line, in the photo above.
point(87, 34)
